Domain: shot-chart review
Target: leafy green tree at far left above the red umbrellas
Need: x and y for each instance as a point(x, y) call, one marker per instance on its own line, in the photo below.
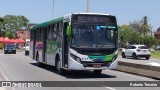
point(13, 23)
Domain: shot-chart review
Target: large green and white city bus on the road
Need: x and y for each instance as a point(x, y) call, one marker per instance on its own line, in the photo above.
point(78, 41)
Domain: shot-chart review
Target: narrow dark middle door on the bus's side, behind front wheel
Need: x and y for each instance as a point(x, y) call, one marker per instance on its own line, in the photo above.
point(44, 43)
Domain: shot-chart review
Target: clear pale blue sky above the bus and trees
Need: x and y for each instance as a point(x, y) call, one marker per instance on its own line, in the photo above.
point(38, 11)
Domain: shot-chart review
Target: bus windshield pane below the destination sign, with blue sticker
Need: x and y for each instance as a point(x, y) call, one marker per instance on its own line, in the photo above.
point(93, 35)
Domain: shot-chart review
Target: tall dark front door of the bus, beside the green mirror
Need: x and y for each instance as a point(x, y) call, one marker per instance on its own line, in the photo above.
point(65, 46)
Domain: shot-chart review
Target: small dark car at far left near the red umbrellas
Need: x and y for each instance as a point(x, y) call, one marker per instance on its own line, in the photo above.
point(10, 48)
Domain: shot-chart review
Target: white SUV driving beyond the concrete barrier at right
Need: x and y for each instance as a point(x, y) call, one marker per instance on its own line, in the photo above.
point(136, 51)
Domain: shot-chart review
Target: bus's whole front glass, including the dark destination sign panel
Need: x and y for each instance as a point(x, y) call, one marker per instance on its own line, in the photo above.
point(94, 31)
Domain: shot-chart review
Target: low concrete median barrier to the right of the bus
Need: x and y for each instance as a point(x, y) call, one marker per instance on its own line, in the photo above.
point(139, 69)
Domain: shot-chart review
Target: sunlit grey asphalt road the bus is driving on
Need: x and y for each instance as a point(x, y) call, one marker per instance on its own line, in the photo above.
point(18, 67)
